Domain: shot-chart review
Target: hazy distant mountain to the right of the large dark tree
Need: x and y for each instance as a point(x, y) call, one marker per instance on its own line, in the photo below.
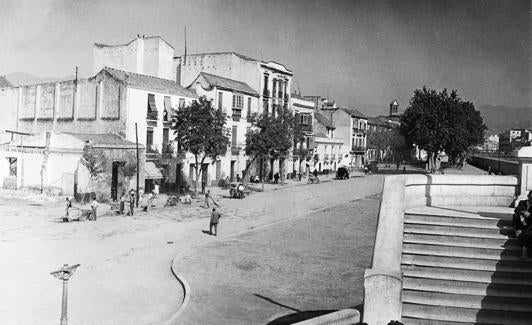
point(502, 118)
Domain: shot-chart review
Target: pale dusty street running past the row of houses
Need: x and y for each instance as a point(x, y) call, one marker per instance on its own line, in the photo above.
point(125, 275)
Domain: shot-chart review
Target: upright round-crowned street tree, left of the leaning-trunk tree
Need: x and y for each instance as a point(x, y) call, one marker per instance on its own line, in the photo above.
point(200, 129)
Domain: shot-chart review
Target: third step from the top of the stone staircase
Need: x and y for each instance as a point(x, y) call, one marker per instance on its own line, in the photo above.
point(495, 243)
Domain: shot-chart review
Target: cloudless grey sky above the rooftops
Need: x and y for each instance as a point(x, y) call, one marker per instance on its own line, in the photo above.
point(363, 54)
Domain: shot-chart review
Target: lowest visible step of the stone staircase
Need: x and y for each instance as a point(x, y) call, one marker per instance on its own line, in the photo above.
point(475, 316)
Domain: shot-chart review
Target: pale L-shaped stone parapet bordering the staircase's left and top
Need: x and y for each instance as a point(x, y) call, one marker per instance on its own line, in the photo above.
point(383, 283)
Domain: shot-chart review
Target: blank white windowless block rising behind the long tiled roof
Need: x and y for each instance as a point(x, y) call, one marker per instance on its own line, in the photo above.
point(151, 56)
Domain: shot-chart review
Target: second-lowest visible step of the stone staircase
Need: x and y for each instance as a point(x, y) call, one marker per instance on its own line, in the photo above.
point(467, 301)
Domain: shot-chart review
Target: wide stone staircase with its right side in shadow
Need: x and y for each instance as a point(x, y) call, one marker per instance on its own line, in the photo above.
point(463, 269)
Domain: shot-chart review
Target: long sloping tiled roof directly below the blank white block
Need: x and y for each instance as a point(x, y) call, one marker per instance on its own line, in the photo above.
point(141, 81)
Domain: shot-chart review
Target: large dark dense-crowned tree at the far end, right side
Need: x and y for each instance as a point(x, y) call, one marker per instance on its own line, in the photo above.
point(441, 121)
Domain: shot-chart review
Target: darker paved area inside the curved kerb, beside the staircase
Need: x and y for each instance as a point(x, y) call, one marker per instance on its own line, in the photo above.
point(291, 270)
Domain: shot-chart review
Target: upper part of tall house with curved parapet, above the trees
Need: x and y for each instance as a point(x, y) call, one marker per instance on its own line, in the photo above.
point(271, 80)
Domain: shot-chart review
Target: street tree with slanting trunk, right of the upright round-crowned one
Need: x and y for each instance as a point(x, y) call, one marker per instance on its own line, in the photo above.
point(270, 136)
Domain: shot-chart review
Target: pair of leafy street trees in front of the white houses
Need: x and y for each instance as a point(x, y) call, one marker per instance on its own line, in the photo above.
point(200, 129)
